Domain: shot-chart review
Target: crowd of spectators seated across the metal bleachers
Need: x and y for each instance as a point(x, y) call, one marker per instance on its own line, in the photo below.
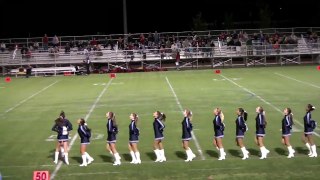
point(167, 45)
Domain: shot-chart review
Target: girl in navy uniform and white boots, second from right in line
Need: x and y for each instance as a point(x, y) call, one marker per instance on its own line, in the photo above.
point(287, 123)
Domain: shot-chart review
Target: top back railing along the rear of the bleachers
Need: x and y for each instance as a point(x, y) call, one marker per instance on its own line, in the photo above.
point(211, 34)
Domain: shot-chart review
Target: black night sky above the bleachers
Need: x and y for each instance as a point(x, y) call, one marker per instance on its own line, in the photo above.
point(69, 17)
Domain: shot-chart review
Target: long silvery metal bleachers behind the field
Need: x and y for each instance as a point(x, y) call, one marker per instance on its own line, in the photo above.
point(221, 55)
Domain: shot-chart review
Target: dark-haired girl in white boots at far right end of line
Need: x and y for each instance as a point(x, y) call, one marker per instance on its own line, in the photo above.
point(308, 131)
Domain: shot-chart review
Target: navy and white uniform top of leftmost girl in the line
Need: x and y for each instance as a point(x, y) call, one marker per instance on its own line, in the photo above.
point(62, 129)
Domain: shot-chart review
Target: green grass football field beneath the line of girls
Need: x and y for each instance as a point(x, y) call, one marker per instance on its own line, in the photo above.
point(28, 108)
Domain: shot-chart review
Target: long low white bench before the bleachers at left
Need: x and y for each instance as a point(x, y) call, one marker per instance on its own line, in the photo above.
point(45, 71)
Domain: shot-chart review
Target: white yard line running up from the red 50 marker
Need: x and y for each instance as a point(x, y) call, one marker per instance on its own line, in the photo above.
point(86, 118)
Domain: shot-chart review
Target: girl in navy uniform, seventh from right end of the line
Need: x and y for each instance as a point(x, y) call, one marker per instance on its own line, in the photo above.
point(158, 128)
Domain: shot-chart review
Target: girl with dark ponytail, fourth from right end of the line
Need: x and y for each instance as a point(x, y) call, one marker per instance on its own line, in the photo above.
point(241, 128)
